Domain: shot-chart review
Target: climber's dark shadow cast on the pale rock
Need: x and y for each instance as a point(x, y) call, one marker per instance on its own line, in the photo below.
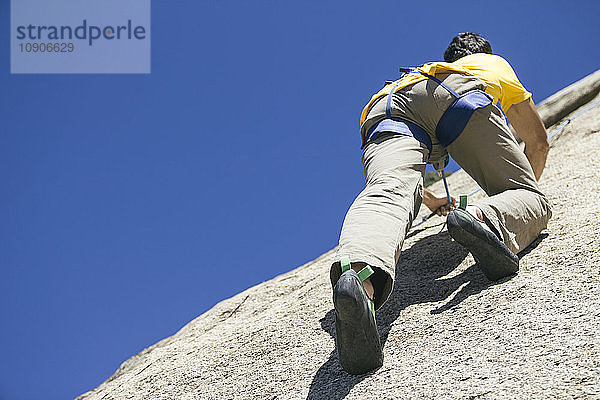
point(419, 279)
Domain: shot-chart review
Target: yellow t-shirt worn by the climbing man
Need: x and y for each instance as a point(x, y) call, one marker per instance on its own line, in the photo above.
point(495, 71)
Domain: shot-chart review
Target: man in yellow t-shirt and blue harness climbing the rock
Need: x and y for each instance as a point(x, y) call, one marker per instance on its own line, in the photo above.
point(436, 109)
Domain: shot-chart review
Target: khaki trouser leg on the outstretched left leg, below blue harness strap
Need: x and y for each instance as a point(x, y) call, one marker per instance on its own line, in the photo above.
point(381, 215)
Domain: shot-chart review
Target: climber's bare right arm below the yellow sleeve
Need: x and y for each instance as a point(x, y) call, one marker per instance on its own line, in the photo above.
point(529, 126)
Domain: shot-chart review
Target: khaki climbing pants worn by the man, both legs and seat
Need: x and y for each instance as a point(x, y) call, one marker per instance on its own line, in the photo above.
point(380, 217)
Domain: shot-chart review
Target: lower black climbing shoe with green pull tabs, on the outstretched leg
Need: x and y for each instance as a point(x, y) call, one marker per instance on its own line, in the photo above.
point(356, 337)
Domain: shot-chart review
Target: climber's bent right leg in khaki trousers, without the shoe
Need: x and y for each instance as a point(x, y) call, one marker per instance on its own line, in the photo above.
point(516, 209)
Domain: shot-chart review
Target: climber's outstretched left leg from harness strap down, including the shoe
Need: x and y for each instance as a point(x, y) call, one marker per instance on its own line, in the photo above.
point(370, 243)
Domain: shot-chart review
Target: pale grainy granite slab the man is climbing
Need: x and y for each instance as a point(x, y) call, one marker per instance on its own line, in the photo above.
point(448, 332)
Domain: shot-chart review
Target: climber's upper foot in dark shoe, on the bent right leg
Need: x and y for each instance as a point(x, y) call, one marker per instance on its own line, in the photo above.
point(491, 254)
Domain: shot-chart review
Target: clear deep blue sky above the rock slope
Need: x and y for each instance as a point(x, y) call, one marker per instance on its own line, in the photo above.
point(130, 204)
